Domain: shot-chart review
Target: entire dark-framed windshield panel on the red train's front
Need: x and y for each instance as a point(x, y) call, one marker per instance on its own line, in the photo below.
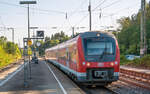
point(99, 49)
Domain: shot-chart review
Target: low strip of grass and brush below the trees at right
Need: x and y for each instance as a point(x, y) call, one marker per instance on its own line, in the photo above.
point(143, 62)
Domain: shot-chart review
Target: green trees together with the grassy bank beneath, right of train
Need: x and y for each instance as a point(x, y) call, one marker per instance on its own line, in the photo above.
point(129, 39)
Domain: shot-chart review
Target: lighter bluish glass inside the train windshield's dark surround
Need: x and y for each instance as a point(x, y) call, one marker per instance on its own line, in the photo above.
point(99, 48)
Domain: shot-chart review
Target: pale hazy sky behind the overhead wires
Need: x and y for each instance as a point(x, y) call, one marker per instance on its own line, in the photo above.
point(62, 14)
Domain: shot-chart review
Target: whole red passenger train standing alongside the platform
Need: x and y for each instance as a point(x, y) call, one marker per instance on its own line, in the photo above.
point(91, 58)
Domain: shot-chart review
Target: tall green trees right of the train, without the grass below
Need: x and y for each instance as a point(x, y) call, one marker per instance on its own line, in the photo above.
point(129, 36)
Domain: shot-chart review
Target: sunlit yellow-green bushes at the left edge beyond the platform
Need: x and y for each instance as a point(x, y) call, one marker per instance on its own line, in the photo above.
point(9, 52)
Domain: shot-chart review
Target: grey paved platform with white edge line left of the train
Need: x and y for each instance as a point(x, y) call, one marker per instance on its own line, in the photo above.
point(45, 79)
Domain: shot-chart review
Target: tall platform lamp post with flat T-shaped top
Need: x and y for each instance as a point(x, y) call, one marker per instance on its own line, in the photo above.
point(28, 3)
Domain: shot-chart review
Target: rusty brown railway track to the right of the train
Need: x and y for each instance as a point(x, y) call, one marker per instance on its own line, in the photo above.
point(140, 79)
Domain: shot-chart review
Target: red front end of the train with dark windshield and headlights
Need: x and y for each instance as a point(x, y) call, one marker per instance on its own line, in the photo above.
point(99, 58)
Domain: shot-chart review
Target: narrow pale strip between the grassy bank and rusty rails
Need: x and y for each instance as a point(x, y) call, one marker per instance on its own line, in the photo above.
point(144, 71)
